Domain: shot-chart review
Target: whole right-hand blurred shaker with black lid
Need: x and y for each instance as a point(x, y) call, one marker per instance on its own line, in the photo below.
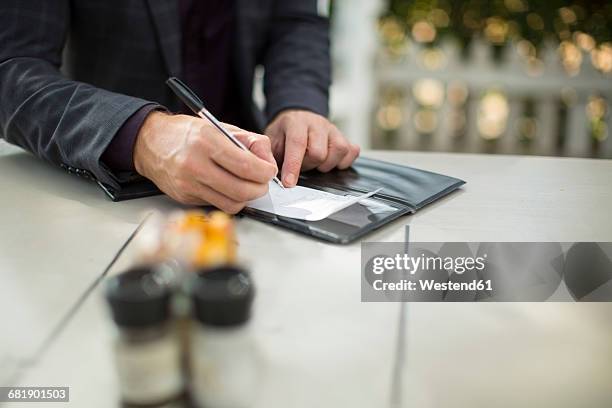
point(223, 355)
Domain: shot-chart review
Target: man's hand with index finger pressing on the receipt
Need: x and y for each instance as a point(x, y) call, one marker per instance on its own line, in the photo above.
point(303, 140)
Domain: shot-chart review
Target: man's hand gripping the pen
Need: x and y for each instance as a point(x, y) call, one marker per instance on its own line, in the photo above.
point(192, 162)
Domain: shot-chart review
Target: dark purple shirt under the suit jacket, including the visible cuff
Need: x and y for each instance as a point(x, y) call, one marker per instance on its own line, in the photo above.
point(207, 27)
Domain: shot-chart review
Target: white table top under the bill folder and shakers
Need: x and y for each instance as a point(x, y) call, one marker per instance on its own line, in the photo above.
point(321, 346)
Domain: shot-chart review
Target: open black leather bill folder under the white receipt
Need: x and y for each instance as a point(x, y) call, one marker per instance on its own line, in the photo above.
point(405, 190)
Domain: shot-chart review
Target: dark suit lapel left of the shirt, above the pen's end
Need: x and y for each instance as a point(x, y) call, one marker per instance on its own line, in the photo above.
point(165, 14)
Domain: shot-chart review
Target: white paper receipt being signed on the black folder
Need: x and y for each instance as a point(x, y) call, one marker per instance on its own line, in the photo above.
point(304, 203)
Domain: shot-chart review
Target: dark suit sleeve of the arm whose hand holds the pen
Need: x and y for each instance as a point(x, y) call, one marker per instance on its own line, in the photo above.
point(63, 121)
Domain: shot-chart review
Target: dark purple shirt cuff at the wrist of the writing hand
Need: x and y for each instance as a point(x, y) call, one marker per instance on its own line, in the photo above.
point(118, 156)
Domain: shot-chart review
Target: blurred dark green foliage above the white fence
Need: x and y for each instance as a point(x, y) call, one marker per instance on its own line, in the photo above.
point(500, 21)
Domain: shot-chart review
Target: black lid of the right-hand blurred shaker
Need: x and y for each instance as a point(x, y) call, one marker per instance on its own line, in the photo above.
point(222, 296)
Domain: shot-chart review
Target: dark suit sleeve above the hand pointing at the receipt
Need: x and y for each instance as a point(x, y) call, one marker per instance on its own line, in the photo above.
point(297, 59)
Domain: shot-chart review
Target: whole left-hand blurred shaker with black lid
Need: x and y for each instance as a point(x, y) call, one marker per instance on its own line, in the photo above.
point(147, 351)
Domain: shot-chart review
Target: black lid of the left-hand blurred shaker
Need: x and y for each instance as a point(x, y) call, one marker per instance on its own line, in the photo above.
point(139, 297)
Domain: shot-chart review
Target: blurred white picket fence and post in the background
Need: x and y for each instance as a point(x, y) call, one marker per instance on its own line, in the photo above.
point(433, 99)
